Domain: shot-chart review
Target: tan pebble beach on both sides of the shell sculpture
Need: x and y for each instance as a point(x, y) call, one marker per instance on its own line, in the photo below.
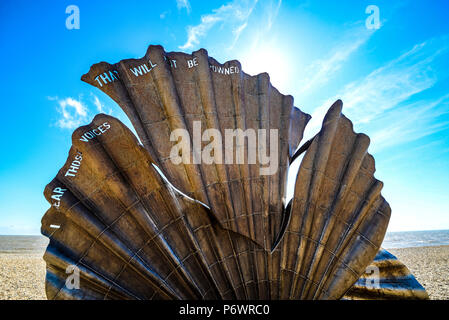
point(22, 269)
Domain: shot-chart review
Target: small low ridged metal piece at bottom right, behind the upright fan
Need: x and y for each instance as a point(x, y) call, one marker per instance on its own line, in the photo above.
point(387, 278)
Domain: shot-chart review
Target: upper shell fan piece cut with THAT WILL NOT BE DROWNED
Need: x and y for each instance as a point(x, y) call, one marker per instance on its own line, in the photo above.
point(163, 92)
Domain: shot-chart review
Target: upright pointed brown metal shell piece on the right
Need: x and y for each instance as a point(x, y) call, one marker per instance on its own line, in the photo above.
point(338, 217)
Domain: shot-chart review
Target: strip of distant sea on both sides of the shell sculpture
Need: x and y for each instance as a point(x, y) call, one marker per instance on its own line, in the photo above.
point(406, 239)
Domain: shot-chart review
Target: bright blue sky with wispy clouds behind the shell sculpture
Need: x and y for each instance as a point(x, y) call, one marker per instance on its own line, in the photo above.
point(393, 82)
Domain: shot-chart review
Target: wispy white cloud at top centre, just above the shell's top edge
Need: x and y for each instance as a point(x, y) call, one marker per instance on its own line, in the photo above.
point(234, 14)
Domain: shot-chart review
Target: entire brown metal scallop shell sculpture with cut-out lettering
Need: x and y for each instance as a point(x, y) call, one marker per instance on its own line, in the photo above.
point(137, 224)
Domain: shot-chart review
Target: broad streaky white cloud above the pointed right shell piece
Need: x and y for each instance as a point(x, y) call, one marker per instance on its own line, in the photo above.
point(380, 102)
